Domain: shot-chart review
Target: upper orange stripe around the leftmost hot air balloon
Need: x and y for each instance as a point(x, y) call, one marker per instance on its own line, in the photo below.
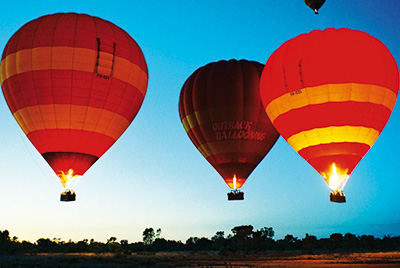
point(69, 58)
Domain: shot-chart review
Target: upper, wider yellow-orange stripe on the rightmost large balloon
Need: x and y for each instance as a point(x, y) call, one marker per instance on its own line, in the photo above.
point(331, 93)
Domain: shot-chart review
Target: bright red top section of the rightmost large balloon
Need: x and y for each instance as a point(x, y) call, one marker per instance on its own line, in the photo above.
point(331, 56)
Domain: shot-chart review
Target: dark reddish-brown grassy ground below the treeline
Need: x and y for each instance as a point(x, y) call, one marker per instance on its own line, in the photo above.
point(271, 260)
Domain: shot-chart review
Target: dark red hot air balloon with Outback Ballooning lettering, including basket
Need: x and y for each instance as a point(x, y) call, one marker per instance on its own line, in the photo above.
point(221, 111)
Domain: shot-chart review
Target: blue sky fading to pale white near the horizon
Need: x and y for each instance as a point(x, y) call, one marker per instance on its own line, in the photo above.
point(153, 176)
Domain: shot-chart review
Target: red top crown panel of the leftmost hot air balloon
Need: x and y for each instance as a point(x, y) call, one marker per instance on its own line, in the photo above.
point(74, 30)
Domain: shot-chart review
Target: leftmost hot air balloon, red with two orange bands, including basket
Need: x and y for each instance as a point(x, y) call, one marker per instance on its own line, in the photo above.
point(73, 83)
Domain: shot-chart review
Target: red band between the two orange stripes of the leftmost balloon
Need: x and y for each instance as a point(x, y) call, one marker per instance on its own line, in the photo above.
point(42, 87)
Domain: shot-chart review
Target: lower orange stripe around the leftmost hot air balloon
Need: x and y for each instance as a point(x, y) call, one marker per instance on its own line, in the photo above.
point(66, 116)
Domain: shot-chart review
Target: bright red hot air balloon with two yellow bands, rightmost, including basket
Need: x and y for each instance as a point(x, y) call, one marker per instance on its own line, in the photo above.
point(329, 94)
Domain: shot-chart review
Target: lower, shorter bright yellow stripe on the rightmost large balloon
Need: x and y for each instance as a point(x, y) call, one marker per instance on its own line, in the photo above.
point(328, 135)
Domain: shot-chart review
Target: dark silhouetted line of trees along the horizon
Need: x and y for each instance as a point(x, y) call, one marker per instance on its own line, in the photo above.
point(243, 239)
